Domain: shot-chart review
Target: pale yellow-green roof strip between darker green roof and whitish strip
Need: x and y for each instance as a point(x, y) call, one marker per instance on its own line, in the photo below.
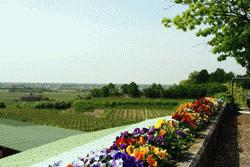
point(41, 153)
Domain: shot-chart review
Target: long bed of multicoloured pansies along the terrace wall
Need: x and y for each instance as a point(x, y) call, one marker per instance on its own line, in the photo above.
point(160, 145)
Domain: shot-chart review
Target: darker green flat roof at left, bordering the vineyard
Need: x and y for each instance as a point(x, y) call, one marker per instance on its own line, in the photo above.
point(21, 136)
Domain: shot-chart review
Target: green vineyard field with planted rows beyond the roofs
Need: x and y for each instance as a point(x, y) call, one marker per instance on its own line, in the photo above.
point(105, 112)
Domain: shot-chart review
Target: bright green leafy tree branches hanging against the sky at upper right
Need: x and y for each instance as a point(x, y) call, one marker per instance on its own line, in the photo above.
point(227, 22)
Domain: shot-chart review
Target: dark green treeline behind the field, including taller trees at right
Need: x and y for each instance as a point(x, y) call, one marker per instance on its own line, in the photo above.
point(198, 84)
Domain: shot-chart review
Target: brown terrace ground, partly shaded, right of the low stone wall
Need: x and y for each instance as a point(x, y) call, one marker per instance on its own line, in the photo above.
point(233, 149)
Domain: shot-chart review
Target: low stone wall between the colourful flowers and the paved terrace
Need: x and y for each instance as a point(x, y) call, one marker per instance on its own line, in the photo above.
point(202, 152)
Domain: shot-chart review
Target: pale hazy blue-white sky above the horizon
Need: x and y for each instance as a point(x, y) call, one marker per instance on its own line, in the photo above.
point(99, 41)
